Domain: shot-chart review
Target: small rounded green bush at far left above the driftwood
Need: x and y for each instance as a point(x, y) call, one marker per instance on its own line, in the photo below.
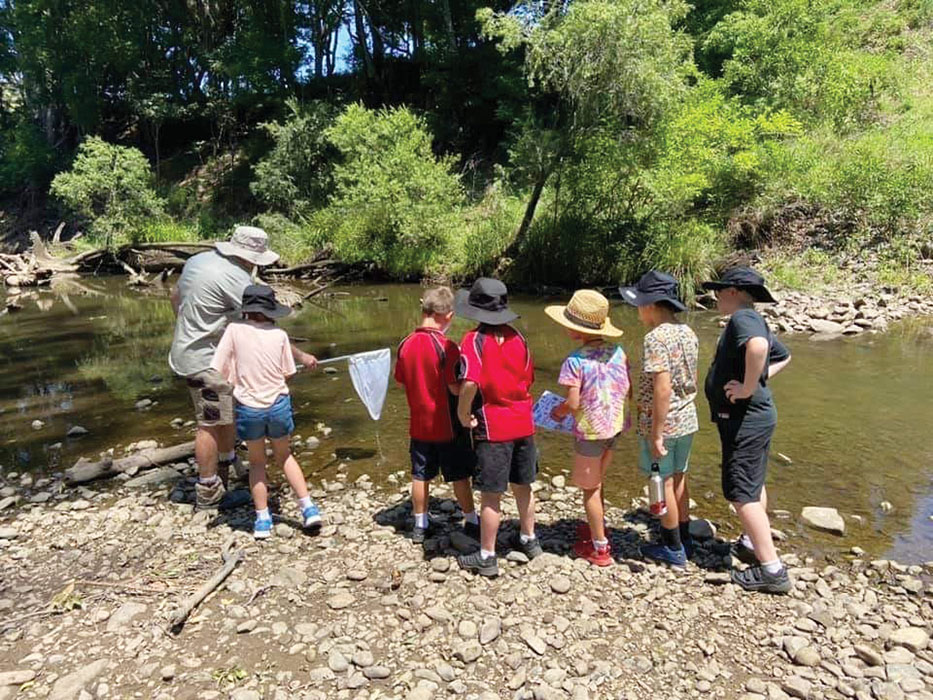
point(110, 188)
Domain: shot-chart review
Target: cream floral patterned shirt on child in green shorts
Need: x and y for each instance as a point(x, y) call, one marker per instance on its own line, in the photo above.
point(671, 347)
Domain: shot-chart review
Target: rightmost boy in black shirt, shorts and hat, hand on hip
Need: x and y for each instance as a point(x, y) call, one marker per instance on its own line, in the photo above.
point(743, 409)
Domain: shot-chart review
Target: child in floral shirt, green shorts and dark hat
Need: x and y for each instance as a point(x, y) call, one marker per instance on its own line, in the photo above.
point(667, 416)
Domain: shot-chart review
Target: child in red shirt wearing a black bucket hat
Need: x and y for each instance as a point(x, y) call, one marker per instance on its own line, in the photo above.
point(496, 404)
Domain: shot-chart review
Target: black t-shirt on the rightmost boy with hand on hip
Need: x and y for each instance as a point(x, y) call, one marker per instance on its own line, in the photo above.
point(729, 364)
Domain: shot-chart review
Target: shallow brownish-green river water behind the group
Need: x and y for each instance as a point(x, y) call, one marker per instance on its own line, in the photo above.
point(856, 415)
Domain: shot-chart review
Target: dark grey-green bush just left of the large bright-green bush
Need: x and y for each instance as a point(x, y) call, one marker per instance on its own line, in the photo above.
point(295, 177)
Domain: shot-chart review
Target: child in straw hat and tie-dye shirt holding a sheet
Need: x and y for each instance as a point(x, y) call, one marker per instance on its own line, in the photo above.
point(598, 384)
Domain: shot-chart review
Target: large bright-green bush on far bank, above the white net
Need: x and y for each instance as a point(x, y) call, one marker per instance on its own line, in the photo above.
point(395, 203)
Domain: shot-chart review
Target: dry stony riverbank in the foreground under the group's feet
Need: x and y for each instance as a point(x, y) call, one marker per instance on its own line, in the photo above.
point(89, 579)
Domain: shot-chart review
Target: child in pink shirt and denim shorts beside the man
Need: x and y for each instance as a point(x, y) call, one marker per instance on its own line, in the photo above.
point(255, 357)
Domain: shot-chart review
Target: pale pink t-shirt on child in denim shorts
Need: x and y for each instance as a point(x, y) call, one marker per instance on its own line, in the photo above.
point(256, 358)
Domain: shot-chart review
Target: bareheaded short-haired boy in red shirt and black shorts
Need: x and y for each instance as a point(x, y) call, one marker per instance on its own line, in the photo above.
point(427, 368)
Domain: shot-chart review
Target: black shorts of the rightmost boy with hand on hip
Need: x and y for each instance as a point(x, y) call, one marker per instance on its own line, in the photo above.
point(744, 458)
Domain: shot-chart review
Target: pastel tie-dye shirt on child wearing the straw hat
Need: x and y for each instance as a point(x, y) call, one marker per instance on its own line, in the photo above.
point(602, 373)
